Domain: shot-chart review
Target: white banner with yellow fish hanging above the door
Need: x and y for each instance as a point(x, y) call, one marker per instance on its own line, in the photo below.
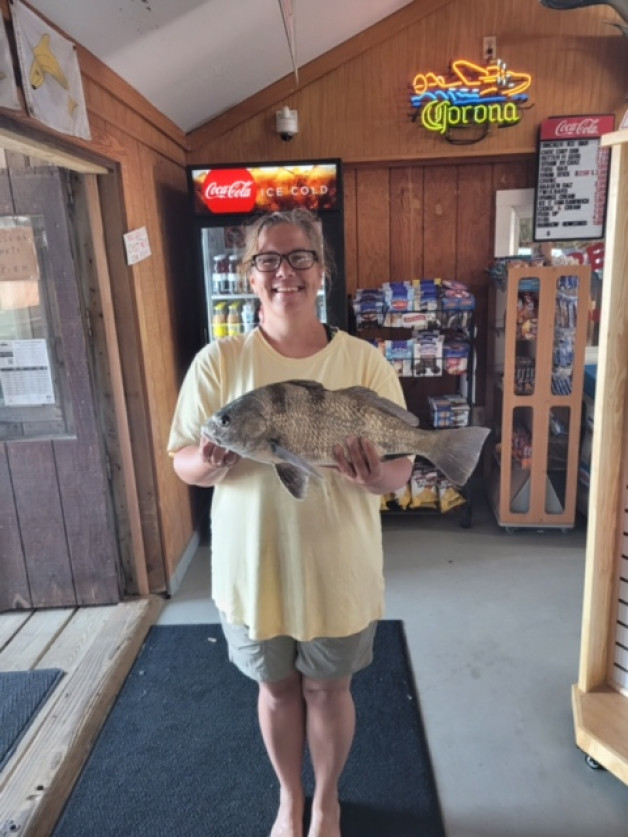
point(51, 76)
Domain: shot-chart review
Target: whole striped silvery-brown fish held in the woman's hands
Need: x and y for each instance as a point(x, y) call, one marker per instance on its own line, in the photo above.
point(294, 425)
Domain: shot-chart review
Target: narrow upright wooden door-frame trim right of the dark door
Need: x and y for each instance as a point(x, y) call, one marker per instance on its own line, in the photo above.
point(139, 581)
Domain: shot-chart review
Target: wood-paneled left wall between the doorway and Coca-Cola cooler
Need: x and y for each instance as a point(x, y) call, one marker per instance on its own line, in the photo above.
point(145, 154)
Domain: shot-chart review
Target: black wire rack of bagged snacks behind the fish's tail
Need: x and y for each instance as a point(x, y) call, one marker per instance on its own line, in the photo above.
point(429, 339)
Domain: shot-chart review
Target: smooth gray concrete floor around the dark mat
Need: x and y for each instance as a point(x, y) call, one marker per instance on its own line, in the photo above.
point(493, 624)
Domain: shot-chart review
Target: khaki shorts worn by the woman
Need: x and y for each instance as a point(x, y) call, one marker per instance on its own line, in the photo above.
point(323, 658)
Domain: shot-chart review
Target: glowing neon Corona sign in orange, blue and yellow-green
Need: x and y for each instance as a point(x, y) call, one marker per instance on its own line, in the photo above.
point(469, 94)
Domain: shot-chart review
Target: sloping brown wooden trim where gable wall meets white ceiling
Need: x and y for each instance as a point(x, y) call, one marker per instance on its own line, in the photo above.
point(314, 70)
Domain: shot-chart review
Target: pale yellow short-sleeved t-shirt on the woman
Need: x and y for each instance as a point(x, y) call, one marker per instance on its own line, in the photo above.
point(282, 566)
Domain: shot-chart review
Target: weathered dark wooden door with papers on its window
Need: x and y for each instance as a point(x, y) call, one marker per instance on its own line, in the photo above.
point(58, 544)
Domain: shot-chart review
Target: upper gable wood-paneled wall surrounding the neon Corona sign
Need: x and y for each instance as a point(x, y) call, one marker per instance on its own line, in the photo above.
point(353, 102)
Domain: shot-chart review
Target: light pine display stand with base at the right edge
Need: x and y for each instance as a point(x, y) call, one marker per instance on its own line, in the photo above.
point(600, 697)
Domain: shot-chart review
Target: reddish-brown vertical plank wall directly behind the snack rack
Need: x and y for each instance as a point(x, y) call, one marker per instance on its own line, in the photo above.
point(414, 221)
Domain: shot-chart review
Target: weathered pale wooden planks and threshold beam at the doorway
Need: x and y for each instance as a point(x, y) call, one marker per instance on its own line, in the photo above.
point(95, 648)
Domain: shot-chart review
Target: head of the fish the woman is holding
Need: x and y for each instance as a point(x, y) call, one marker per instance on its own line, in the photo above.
point(242, 426)
